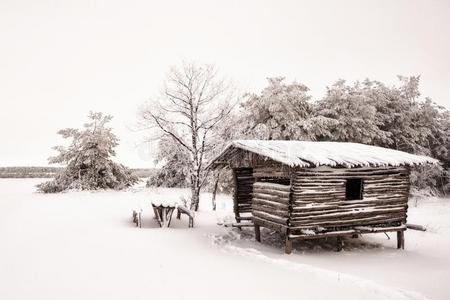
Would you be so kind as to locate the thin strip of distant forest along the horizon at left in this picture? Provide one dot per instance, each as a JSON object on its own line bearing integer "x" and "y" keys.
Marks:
{"x": 50, "y": 172}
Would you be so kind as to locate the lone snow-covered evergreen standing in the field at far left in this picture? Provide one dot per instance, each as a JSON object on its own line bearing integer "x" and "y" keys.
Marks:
{"x": 87, "y": 160}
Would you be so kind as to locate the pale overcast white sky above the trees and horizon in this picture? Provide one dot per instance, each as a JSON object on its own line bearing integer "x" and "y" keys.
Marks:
{"x": 60, "y": 59}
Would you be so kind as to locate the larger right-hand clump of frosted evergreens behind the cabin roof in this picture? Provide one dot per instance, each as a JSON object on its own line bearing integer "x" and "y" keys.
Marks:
{"x": 394, "y": 117}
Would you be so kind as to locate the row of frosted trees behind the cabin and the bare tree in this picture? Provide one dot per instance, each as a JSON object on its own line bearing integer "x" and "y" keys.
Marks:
{"x": 368, "y": 112}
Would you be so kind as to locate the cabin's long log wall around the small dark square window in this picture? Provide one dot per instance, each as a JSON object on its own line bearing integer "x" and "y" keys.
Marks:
{"x": 319, "y": 198}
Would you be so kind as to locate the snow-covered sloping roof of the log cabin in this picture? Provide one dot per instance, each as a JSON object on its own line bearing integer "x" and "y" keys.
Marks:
{"x": 314, "y": 154}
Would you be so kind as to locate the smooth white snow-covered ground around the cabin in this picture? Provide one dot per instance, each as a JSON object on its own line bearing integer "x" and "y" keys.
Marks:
{"x": 82, "y": 245}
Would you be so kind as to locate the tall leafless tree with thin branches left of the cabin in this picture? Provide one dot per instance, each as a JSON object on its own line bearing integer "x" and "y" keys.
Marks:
{"x": 194, "y": 102}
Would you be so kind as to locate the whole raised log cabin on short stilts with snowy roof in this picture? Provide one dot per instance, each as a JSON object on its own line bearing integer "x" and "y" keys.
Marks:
{"x": 308, "y": 190}
